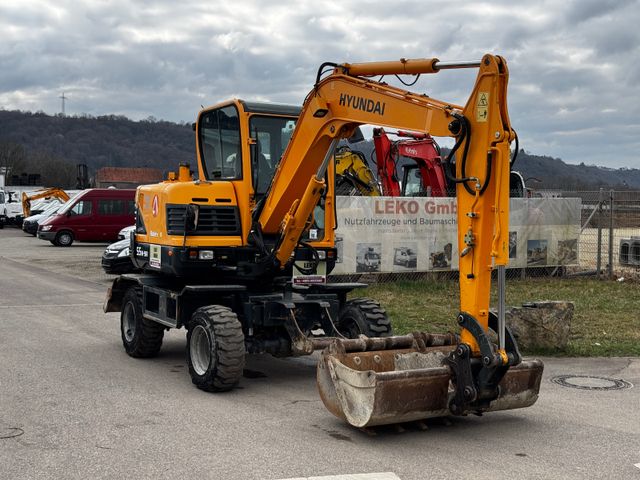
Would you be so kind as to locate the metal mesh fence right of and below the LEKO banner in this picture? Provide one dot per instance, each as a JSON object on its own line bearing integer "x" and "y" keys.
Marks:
{"x": 608, "y": 242}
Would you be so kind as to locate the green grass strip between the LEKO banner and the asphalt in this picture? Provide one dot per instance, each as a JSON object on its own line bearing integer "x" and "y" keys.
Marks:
{"x": 605, "y": 322}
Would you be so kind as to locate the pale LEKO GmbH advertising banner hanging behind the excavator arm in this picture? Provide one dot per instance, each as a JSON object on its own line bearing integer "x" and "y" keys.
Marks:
{"x": 419, "y": 234}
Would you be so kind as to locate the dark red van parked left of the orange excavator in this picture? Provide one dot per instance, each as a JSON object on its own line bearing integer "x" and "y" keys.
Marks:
{"x": 94, "y": 215}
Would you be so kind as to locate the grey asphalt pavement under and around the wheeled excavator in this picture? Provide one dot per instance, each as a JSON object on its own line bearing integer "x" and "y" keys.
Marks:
{"x": 73, "y": 405}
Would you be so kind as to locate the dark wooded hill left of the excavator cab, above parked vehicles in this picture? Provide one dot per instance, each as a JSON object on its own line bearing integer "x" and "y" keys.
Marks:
{"x": 34, "y": 142}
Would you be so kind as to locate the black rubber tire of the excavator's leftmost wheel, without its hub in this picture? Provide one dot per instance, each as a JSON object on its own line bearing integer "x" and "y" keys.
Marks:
{"x": 148, "y": 335}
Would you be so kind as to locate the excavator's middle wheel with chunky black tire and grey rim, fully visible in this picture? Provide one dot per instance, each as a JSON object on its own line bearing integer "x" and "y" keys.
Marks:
{"x": 215, "y": 348}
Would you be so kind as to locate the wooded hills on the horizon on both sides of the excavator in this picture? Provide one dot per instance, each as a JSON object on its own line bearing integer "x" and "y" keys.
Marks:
{"x": 52, "y": 146}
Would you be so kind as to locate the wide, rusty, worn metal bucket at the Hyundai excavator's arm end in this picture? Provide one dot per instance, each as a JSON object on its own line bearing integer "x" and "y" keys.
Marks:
{"x": 379, "y": 381}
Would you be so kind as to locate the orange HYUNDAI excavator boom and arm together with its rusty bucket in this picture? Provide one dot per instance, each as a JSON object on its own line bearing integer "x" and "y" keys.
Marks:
{"x": 417, "y": 370}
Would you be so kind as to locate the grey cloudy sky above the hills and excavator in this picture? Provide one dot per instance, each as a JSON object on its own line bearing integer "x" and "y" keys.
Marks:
{"x": 575, "y": 65}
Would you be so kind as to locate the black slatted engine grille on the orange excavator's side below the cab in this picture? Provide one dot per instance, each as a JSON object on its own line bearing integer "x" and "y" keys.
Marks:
{"x": 212, "y": 220}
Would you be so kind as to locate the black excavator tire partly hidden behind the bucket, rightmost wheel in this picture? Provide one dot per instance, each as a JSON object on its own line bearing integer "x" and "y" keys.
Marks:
{"x": 364, "y": 316}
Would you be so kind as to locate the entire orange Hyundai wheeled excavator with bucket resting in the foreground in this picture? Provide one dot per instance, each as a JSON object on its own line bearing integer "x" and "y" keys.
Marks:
{"x": 239, "y": 254}
